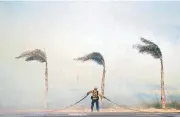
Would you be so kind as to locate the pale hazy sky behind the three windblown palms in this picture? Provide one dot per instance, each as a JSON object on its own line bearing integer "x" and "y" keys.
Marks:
{"x": 71, "y": 29}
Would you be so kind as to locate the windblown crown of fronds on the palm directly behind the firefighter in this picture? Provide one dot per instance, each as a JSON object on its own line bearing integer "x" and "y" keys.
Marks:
{"x": 95, "y": 56}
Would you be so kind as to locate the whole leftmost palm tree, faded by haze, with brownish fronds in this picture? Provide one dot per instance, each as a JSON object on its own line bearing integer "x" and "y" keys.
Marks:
{"x": 38, "y": 55}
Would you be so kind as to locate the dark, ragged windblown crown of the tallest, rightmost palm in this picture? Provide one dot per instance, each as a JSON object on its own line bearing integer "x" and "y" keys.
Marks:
{"x": 149, "y": 48}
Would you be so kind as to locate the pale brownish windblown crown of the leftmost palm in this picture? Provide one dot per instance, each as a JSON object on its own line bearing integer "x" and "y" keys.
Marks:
{"x": 36, "y": 54}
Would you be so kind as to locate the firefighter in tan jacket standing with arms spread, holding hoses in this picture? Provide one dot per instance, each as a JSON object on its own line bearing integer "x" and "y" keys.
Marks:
{"x": 95, "y": 98}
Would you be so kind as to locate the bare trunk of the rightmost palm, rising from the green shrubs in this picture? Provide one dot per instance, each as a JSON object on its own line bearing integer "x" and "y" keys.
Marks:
{"x": 163, "y": 103}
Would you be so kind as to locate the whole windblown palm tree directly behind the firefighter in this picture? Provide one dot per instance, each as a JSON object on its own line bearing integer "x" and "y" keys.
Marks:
{"x": 98, "y": 58}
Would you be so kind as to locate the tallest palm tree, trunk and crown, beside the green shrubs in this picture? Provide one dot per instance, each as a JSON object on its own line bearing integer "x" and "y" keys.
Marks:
{"x": 152, "y": 49}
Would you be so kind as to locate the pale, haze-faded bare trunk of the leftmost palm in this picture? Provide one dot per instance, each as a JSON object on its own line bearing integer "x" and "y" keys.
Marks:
{"x": 46, "y": 84}
